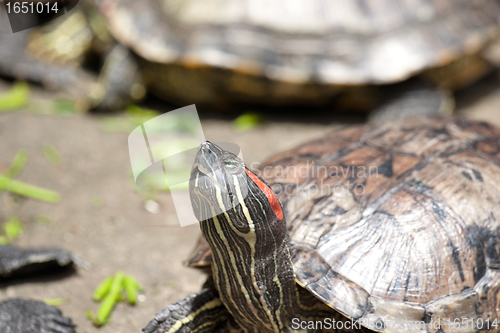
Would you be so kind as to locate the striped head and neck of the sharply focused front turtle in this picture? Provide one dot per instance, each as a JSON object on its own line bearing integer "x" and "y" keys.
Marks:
{"x": 243, "y": 223}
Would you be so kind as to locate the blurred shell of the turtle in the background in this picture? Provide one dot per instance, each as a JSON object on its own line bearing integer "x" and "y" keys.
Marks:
{"x": 301, "y": 50}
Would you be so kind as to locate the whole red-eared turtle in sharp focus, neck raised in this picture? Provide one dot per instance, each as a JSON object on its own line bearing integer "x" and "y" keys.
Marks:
{"x": 393, "y": 226}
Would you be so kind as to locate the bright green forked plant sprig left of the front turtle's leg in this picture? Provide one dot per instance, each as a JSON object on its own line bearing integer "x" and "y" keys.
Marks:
{"x": 111, "y": 291}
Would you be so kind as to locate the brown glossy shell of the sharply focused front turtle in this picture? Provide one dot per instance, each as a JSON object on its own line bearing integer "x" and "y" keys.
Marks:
{"x": 396, "y": 222}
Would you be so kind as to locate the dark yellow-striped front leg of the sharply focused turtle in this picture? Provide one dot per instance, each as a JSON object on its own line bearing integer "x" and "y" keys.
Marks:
{"x": 200, "y": 312}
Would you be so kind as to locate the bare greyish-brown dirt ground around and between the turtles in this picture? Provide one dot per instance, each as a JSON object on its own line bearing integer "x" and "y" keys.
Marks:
{"x": 102, "y": 218}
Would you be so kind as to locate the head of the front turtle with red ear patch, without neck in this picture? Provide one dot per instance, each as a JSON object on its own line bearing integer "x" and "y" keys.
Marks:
{"x": 221, "y": 184}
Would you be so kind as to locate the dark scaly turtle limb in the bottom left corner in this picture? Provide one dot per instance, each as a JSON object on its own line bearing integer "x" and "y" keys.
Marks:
{"x": 29, "y": 316}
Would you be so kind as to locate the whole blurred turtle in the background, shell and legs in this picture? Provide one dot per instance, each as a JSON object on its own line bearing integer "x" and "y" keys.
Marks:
{"x": 286, "y": 53}
